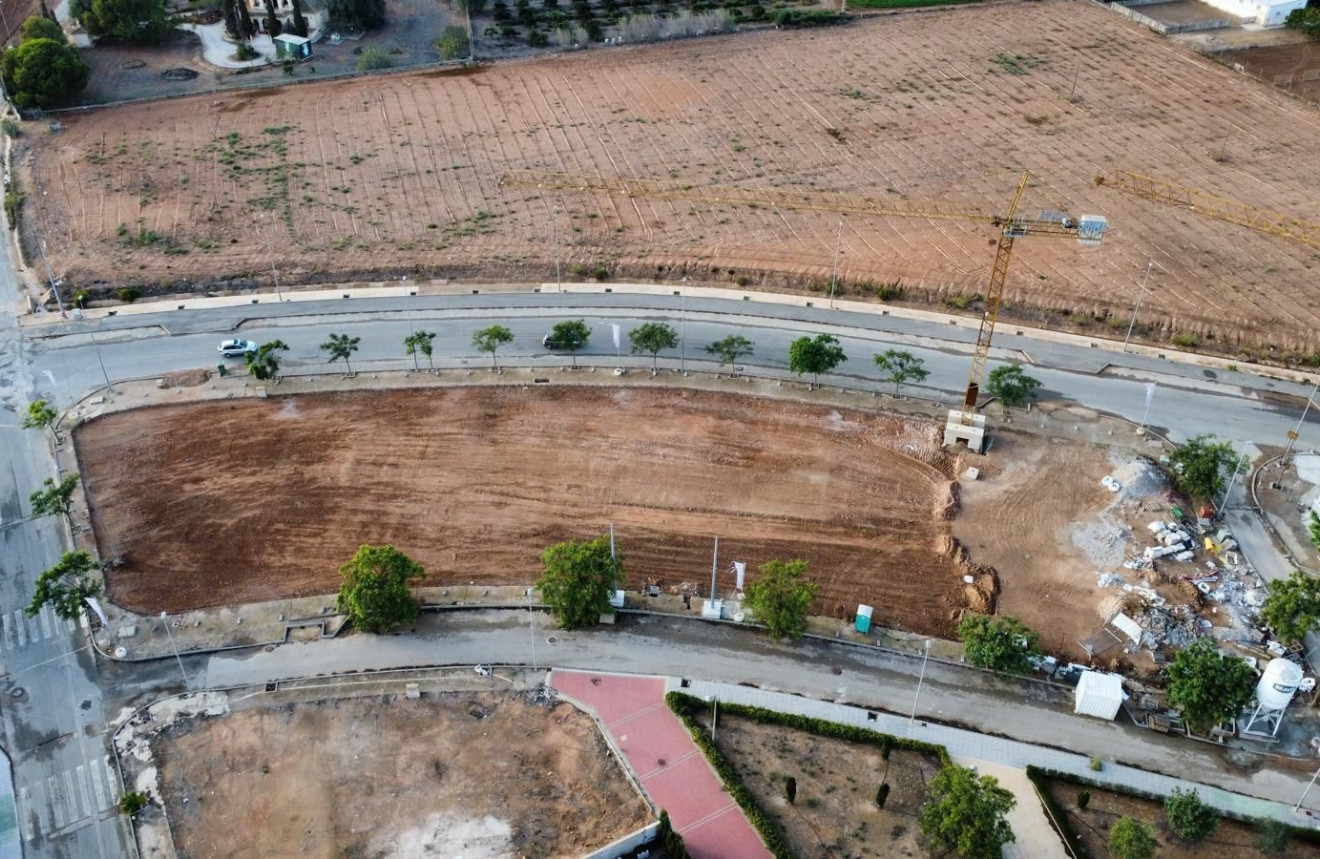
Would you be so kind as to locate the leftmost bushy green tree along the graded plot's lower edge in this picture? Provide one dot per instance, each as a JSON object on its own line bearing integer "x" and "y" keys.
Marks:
{"x": 376, "y": 589}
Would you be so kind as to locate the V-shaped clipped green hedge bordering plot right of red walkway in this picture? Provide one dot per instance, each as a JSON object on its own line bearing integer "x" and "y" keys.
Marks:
{"x": 686, "y": 707}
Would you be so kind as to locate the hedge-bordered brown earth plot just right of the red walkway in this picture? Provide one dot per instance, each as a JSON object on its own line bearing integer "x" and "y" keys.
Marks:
{"x": 835, "y": 813}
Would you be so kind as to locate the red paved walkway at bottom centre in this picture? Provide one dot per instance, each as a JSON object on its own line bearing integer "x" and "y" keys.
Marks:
{"x": 667, "y": 763}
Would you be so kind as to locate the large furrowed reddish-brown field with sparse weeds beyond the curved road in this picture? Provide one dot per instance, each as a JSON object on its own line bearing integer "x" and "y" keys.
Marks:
{"x": 402, "y": 175}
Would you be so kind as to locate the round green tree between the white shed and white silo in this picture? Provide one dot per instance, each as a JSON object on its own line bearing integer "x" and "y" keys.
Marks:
{"x": 1208, "y": 687}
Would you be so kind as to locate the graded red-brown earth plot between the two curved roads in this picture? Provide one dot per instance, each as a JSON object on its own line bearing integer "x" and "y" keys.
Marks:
{"x": 249, "y": 501}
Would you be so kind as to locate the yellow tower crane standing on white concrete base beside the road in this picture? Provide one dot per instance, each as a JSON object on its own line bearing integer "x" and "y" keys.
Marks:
{"x": 964, "y": 424}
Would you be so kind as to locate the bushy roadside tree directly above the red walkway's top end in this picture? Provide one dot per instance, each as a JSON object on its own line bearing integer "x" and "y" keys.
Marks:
{"x": 577, "y": 581}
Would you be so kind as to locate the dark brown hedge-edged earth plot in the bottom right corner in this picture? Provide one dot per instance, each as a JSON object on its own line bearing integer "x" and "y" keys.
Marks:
{"x": 1231, "y": 841}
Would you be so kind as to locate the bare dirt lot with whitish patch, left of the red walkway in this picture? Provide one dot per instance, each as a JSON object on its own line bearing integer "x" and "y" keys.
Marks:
{"x": 472, "y": 775}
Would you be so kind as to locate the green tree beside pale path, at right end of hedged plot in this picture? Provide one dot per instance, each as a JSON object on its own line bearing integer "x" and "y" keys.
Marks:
{"x": 967, "y": 813}
